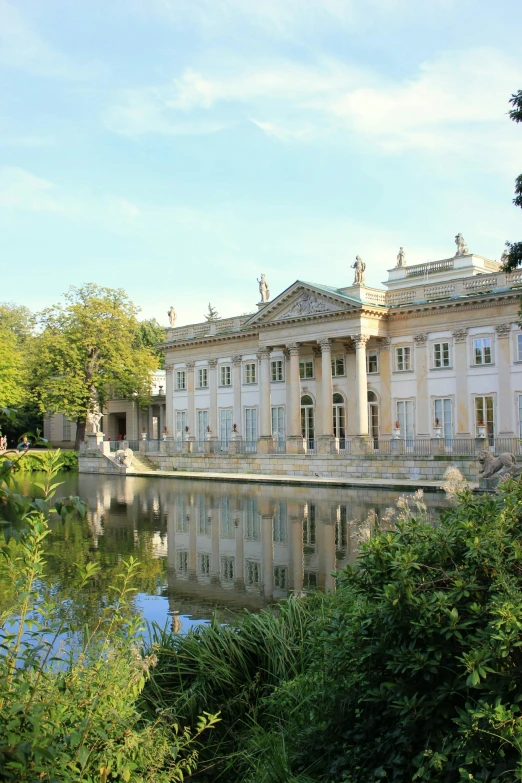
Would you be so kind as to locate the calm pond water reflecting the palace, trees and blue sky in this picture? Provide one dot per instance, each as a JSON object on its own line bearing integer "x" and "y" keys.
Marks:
{"x": 206, "y": 545}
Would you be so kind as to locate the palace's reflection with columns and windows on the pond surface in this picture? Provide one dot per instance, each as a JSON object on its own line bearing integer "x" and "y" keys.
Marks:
{"x": 237, "y": 545}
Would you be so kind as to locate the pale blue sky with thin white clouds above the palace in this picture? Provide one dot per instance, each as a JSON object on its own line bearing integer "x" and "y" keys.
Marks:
{"x": 179, "y": 148}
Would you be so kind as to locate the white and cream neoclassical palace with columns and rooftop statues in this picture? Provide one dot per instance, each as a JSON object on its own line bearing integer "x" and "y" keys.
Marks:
{"x": 436, "y": 354}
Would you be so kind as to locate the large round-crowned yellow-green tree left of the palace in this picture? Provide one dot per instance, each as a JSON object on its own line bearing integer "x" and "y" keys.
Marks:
{"x": 89, "y": 350}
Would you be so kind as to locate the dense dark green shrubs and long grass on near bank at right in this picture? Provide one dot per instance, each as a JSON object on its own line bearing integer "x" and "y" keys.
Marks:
{"x": 411, "y": 671}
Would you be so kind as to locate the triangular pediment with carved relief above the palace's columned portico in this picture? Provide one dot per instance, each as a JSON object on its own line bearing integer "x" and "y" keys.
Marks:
{"x": 303, "y": 300}
